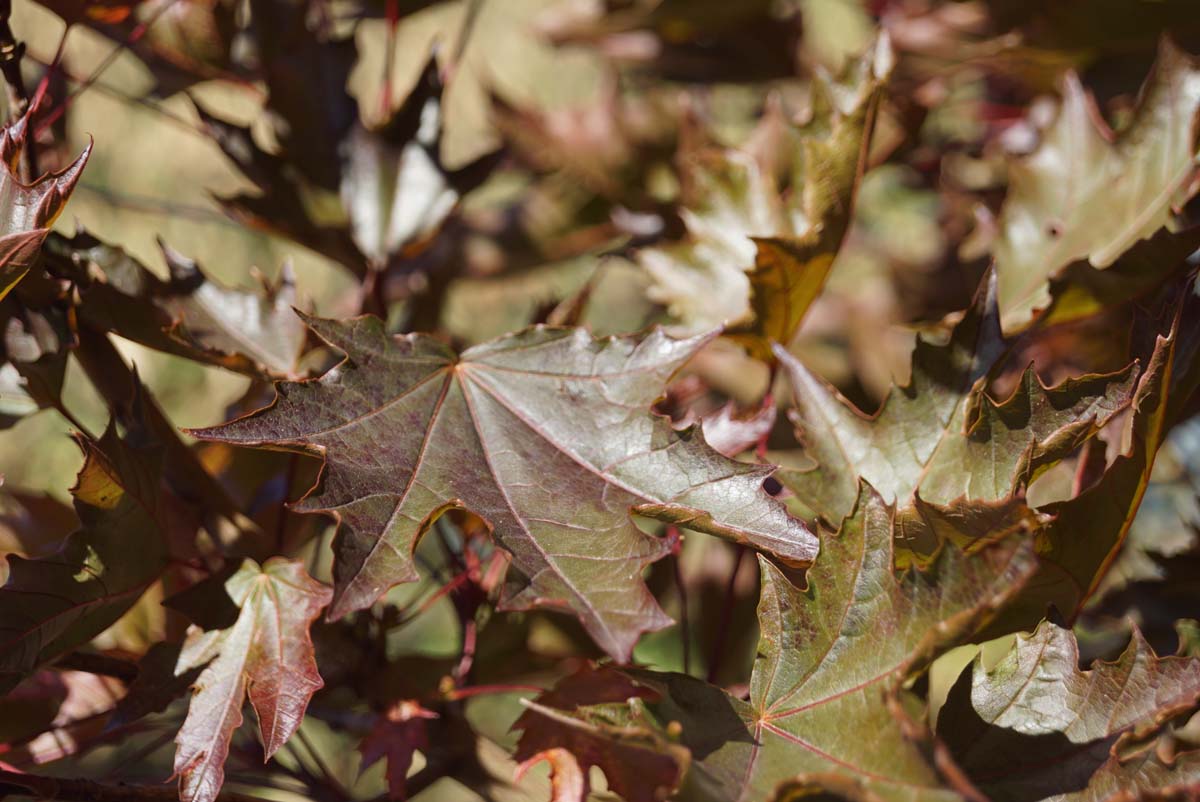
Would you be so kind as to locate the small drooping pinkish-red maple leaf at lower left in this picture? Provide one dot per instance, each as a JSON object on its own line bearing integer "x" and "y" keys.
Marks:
{"x": 266, "y": 656}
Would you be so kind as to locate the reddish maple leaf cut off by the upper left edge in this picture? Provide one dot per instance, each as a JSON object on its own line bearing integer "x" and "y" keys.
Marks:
{"x": 28, "y": 211}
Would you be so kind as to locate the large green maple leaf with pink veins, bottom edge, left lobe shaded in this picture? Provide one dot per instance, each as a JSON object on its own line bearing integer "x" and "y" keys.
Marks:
{"x": 827, "y": 656}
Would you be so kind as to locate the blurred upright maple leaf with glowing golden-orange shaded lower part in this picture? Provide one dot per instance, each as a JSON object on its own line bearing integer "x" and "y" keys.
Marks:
{"x": 740, "y": 224}
